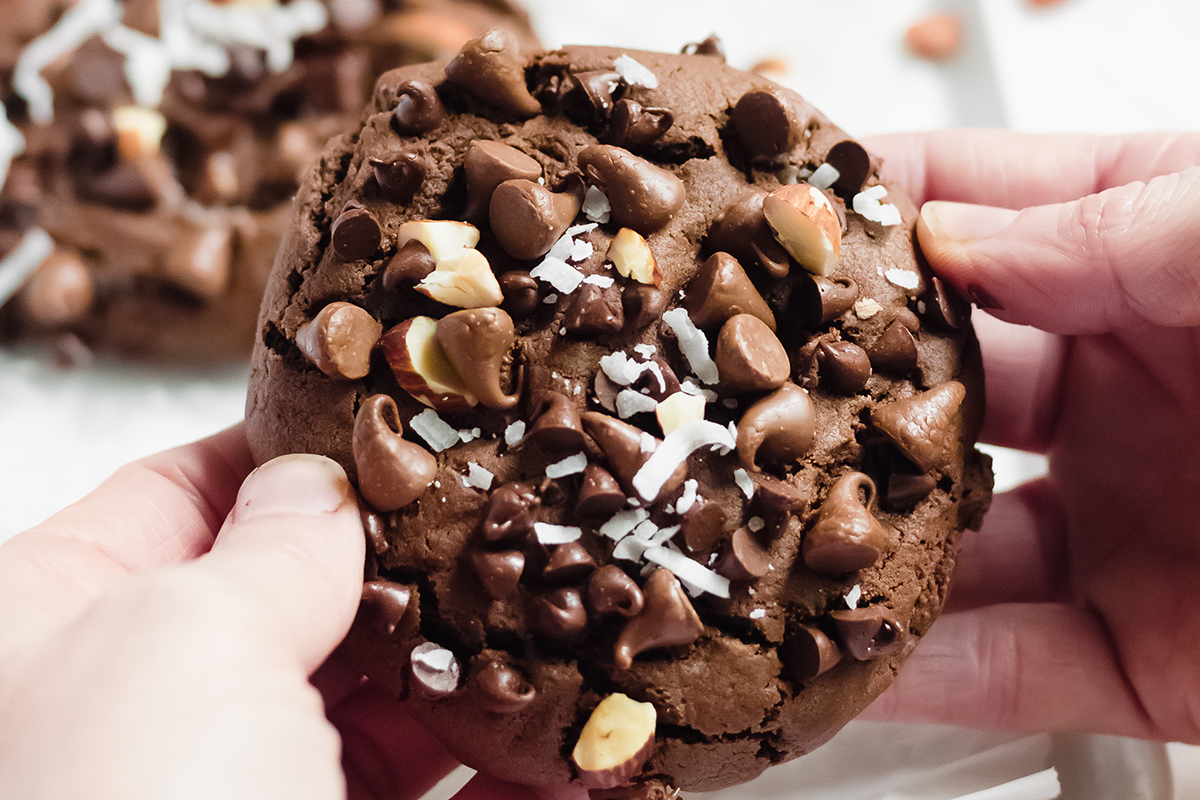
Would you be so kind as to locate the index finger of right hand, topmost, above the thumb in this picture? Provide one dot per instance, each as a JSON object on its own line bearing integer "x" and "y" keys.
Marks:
{"x": 1015, "y": 171}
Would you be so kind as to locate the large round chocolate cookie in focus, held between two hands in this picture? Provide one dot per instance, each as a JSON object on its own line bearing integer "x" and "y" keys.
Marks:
{"x": 664, "y": 434}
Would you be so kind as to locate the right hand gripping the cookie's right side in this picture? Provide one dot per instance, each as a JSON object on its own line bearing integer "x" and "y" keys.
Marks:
{"x": 1075, "y": 606}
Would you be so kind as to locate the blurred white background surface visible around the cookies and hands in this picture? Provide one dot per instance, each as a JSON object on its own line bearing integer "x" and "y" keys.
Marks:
{"x": 1069, "y": 67}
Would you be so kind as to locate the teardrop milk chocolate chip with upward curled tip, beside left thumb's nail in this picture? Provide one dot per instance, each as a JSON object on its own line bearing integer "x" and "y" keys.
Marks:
{"x": 392, "y": 471}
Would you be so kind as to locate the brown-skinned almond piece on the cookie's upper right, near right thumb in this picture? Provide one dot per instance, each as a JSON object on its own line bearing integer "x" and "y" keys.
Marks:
{"x": 807, "y": 225}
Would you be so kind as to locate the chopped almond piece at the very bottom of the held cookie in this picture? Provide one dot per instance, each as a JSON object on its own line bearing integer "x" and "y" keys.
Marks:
{"x": 616, "y": 742}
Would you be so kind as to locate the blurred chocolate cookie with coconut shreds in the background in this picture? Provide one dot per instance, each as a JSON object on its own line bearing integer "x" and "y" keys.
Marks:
{"x": 146, "y": 208}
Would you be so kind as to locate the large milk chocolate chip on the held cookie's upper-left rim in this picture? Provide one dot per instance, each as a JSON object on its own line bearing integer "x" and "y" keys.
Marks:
{"x": 491, "y": 69}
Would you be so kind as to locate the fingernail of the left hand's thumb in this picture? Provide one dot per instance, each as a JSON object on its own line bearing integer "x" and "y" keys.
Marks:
{"x": 295, "y": 484}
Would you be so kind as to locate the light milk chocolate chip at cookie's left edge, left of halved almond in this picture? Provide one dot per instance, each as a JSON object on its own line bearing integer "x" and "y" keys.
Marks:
{"x": 339, "y": 340}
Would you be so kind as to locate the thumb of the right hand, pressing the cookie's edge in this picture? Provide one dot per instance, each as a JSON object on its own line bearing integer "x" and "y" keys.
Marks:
{"x": 1115, "y": 260}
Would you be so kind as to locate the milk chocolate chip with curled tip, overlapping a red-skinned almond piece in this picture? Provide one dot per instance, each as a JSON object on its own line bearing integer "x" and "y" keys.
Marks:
{"x": 478, "y": 341}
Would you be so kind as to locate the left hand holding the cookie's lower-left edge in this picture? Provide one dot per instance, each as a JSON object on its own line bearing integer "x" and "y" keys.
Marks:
{"x": 155, "y": 645}
